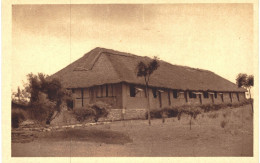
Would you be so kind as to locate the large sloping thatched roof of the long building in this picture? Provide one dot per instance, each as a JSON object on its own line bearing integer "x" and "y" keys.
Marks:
{"x": 102, "y": 66}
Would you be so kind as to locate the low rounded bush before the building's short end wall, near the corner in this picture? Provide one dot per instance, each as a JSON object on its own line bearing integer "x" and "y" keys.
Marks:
{"x": 96, "y": 110}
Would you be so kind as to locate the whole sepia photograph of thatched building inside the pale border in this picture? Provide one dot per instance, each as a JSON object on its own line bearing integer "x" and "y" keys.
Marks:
{"x": 133, "y": 80}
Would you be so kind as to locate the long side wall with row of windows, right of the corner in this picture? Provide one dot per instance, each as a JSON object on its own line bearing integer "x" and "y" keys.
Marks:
{"x": 167, "y": 98}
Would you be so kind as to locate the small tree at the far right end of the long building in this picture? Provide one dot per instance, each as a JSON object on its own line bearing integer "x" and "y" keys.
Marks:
{"x": 246, "y": 81}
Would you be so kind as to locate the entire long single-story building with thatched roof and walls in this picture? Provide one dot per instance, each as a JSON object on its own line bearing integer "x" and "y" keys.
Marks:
{"x": 110, "y": 76}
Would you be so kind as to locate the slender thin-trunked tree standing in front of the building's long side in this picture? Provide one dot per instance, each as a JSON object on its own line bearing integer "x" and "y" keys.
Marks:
{"x": 145, "y": 70}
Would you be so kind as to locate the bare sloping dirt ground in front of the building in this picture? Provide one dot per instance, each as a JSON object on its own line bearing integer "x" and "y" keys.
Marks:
{"x": 226, "y": 132}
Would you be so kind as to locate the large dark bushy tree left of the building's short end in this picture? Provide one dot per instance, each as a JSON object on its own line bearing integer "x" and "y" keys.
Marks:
{"x": 42, "y": 96}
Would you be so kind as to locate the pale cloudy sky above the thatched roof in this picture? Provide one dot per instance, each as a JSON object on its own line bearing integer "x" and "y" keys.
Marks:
{"x": 215, "y": 37}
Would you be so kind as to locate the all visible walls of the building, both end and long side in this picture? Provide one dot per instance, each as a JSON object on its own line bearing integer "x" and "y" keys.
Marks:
{"x": 135, "y": 107}
